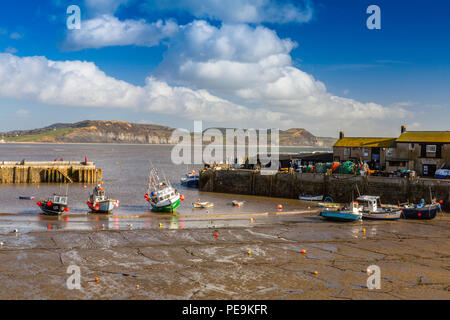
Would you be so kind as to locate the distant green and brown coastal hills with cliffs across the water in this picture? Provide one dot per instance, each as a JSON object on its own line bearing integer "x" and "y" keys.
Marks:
{"x": 125, "y": 132}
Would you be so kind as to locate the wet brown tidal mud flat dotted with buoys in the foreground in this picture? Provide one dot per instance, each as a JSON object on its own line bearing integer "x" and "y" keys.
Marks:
{"x": 259, "y": 261}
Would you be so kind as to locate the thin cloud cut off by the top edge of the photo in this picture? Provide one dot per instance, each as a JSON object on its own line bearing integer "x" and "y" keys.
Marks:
{"x": 241, "y": 11}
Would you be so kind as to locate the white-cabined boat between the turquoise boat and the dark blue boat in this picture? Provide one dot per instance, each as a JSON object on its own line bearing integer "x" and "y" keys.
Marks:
{"x": 373, "y": 209}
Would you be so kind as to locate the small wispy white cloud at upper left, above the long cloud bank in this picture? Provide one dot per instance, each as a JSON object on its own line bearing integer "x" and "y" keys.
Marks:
{"x": 107, "y": 30}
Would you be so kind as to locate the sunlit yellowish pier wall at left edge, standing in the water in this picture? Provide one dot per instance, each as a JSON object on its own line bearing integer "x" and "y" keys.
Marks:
{"x": 49, "y": 172}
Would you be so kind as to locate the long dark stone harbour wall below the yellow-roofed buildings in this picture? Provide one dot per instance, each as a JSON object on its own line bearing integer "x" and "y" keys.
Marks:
{"x": 341, "y": 187}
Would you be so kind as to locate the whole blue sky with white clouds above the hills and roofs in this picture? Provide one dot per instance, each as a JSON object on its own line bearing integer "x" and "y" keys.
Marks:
{"x": 310, "y": 64}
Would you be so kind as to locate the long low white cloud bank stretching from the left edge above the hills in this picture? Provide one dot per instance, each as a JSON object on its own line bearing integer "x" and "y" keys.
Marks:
{"x": 83, "y": 84}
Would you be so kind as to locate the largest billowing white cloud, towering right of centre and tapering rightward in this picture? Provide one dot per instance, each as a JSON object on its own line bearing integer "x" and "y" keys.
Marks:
{"x": 252, "y": 66}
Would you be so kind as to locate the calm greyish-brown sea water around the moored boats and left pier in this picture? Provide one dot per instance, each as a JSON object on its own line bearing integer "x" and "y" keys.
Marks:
{"x": 125, "y": 176}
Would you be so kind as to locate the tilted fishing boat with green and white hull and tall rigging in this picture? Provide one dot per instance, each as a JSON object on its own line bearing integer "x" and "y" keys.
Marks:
{"x": 160, "y": 194}
